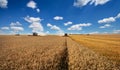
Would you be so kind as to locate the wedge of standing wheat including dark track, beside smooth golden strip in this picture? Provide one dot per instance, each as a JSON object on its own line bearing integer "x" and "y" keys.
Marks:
{"x": 77, "y": 57}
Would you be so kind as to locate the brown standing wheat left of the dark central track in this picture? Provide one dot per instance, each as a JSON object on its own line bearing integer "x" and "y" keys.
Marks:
{"x": 31, "y": 53}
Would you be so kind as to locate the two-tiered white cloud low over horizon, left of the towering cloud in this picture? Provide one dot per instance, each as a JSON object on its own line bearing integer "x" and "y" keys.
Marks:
{"x": 16, "y": 27}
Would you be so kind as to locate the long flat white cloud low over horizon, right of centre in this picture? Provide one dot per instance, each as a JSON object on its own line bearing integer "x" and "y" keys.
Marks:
{"x": 79, "y": 26}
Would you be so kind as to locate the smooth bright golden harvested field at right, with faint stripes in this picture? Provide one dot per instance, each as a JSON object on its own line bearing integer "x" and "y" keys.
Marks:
{"x": 105, "y": 45}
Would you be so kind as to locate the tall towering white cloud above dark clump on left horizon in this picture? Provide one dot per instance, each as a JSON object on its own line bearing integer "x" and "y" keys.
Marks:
{"x": 35, "y": 25}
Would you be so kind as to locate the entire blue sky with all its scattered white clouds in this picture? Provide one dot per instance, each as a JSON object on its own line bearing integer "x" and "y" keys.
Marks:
{"x": 59, "y": 17}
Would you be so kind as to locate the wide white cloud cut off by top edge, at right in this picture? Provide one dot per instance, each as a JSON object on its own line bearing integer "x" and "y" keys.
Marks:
{"x": 80, "y": 3}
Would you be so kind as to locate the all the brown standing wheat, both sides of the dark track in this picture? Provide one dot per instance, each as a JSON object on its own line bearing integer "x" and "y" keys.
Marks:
{"x": 49, "y": 53}
